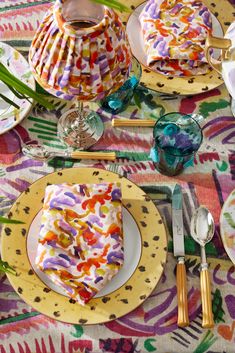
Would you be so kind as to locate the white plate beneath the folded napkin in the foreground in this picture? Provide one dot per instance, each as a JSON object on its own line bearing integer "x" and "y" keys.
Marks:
{"x": 132, "y": 253}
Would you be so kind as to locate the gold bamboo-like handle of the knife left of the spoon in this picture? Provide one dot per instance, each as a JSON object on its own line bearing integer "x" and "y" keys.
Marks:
{"x": 183, "y": 319}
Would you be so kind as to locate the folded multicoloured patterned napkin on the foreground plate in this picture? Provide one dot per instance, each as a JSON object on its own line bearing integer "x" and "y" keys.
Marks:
{"x": 81, "y": 240}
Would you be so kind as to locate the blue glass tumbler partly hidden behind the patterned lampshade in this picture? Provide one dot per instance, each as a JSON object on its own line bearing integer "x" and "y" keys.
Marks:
{"x": 119, "y": 100}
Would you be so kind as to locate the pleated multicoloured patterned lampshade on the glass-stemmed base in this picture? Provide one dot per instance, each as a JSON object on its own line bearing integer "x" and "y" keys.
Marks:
{"x": 88, "y": 63}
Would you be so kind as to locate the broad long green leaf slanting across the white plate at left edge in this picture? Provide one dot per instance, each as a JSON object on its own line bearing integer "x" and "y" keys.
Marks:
{"x": 22, "y": 88}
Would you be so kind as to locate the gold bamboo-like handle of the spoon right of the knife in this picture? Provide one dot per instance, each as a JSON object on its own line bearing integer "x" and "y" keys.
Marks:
{"x": 207, "y": 315}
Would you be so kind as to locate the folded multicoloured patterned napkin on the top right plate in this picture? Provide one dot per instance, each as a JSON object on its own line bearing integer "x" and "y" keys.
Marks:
{"x": 174, "y": 36}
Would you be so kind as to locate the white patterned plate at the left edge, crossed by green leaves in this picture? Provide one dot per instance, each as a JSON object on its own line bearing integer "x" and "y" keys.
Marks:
{"x": 19, "y": 67}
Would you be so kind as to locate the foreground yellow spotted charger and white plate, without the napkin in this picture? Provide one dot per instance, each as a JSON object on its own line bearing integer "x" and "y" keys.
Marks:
{"x": 145, "y": 244}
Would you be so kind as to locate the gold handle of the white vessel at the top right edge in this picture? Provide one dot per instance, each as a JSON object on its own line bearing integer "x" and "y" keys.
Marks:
{"x": 217, "y": 43}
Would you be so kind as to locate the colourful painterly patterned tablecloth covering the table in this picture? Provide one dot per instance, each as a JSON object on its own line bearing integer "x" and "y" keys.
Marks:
{"x": 151, "y": 327}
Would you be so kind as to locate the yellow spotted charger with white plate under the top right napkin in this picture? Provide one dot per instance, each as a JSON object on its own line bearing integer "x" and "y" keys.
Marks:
{"x": 221, "y": 16}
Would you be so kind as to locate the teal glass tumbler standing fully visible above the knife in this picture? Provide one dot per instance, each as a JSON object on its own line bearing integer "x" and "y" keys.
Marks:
{"x": 177, "y": 137}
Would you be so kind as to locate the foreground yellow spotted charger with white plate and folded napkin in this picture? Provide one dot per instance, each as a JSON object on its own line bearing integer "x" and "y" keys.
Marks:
{"x": 92, "y": 248}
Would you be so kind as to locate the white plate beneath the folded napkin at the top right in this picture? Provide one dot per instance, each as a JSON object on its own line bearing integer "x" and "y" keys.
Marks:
{"x": 136, "y": 40}
